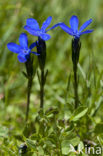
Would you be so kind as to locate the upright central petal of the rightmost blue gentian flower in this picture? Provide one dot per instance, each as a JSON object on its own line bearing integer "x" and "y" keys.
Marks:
{"x": 74, "y": 23}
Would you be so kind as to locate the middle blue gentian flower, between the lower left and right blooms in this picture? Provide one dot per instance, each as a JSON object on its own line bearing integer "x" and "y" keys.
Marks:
{"x": 33, "y": 28}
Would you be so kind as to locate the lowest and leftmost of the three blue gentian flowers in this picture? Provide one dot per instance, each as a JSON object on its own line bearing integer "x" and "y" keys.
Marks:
{"x": 22, "y": 50}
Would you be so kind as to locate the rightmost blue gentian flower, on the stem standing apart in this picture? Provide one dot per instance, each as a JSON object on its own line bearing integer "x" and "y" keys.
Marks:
{"x": 73, "y": 29}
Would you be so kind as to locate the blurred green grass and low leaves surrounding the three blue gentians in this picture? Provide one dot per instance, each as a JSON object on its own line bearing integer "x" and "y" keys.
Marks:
{"x": 52, "y": 133}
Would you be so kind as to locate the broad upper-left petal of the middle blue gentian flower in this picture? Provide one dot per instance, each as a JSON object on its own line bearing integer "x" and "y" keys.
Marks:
{"x": 32, "y": 23}
